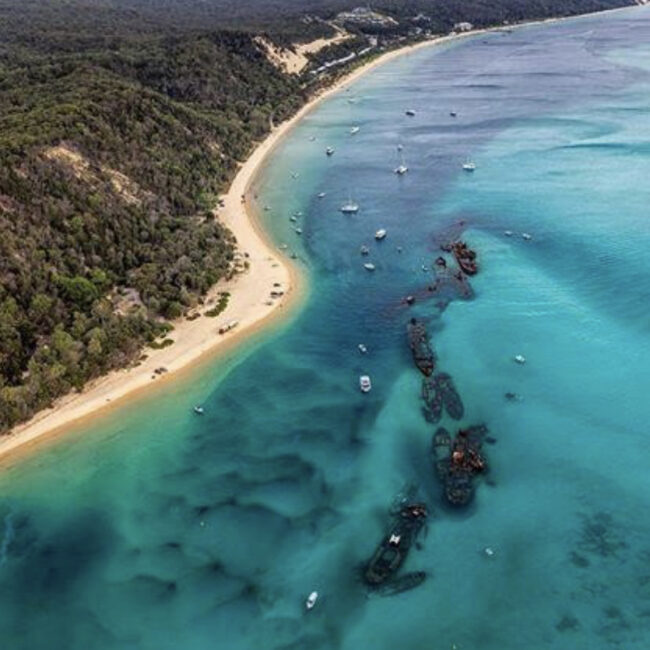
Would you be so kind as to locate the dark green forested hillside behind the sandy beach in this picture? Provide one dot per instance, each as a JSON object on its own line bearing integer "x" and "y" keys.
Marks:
{"x": 120, "y": 122}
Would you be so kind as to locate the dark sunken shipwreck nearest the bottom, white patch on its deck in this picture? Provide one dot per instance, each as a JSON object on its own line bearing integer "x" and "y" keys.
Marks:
{"x": 391, "y": 553}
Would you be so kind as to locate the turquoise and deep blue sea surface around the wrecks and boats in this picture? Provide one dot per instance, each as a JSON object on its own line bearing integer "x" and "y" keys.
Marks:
{"x": 157, "y": 529}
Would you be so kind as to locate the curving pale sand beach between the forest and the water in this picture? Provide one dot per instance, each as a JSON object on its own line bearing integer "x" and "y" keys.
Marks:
{"x": 199, "y": 339}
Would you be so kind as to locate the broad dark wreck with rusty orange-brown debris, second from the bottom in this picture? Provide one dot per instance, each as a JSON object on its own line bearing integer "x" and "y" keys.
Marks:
{"x": 459, "y": 461}
